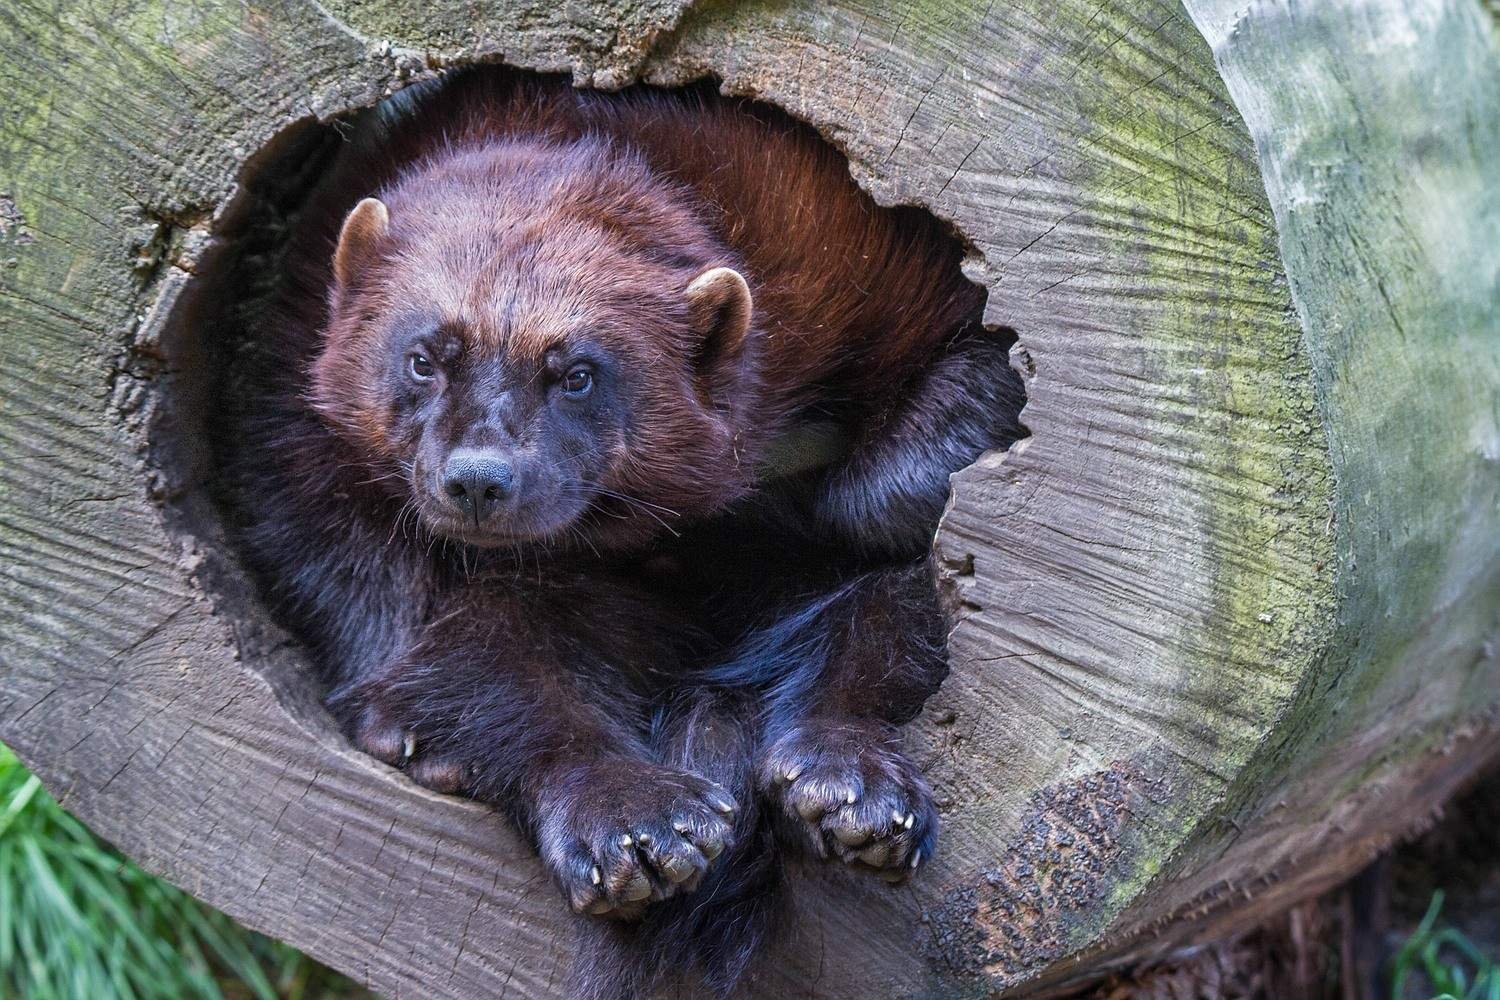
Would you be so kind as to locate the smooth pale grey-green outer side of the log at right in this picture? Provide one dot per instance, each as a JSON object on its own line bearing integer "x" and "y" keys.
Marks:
{"x": 1379, "y": 134}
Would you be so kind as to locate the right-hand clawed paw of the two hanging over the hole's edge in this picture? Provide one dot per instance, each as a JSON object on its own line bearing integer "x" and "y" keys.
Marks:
{"x": 851, "y": 791}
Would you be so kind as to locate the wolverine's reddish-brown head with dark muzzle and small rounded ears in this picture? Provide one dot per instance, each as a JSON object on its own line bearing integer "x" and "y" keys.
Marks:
{"x": 542, "y": 343}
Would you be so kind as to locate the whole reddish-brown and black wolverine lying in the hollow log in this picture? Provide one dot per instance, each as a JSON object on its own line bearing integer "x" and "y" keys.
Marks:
{"x": 595, "y": 446}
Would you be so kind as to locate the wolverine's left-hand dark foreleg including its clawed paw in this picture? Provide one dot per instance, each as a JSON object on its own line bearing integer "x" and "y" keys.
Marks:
{"x": 524, "y": 698}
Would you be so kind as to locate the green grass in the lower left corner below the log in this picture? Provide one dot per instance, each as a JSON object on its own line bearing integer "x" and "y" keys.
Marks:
{"x": 77, "y": 920}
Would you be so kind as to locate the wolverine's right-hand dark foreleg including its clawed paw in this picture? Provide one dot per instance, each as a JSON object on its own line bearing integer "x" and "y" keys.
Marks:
{"x": 842, "y": 672}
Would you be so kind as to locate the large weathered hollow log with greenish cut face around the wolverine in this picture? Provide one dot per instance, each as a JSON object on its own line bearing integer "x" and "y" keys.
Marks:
{"x": 1229, "y": 618}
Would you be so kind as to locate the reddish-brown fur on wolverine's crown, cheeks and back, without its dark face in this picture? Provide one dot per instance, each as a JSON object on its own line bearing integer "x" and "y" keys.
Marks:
{"x": 523, "y": 212}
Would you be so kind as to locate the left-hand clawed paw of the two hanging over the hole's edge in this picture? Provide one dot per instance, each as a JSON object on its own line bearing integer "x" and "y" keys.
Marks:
{"x": 620, "y": 834}
